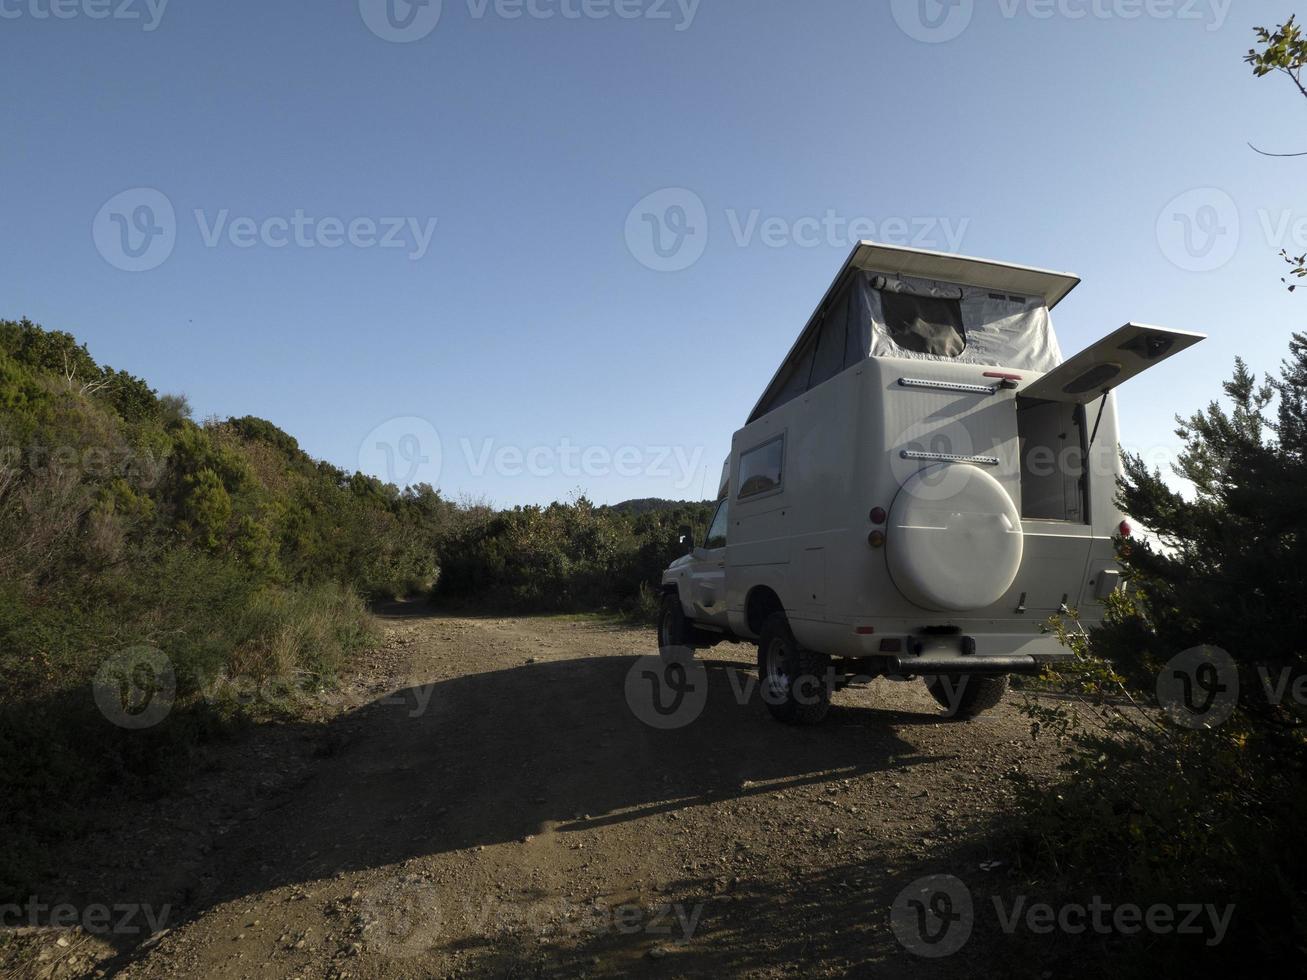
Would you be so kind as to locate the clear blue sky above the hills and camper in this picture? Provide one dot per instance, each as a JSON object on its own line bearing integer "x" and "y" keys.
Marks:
{"x": 465, "y": 263}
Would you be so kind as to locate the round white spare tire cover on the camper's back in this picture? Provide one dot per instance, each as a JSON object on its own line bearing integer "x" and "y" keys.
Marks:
{"x": 955, "y": 539}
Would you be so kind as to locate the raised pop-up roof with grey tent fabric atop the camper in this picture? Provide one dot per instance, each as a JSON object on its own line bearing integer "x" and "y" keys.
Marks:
{"x": 912, "y": 304}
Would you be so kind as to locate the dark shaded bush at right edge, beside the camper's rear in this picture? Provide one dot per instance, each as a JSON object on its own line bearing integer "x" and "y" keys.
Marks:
{"x": 1156, "y": 812}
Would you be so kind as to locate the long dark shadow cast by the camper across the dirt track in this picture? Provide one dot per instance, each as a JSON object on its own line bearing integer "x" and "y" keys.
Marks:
{"x": 552, "y": 748}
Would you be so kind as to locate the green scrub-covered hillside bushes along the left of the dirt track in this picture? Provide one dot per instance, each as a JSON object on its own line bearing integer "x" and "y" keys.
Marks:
{"x": 239, "y": 557}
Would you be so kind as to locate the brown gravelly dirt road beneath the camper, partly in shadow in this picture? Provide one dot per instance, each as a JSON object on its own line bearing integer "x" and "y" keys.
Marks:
{"x": 491, "y": 806}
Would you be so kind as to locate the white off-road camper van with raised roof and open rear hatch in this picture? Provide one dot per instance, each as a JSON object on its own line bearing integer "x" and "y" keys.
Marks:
{"x": 922, "y": 485}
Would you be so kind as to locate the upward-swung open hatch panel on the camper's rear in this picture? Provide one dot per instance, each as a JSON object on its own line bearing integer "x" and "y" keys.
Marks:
{"x": 1116, "y": 359}
